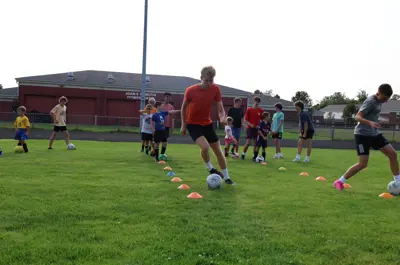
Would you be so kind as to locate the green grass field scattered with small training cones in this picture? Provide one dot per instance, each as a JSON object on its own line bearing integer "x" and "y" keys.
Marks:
{"x": 106, "y": 203}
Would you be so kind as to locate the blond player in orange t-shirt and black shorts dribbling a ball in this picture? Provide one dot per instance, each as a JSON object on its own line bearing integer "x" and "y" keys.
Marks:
{"x": 195, "y": 116}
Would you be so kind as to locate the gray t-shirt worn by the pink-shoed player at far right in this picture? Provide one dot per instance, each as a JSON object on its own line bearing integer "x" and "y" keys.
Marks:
{"x": 371, "y": 108}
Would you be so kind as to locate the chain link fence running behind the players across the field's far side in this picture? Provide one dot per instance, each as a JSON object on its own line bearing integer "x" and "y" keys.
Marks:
{"x": 323, "y": 131}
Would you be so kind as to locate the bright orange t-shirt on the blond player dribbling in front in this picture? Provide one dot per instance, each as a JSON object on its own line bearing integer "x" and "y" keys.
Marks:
{"x": 200, "y": 103}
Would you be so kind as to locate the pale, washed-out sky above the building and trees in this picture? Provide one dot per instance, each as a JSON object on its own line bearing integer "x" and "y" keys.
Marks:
{"x": 319, "y": 46}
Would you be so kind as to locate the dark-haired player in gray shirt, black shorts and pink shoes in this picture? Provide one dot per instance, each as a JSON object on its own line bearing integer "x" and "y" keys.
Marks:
{"x": 367, "y": 135}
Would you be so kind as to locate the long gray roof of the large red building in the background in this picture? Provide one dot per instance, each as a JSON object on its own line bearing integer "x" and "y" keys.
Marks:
{"x": 131, "y": 81}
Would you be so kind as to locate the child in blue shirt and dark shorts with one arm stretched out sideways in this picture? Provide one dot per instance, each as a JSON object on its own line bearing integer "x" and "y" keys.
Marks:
{"x": 158, "y": 126}
